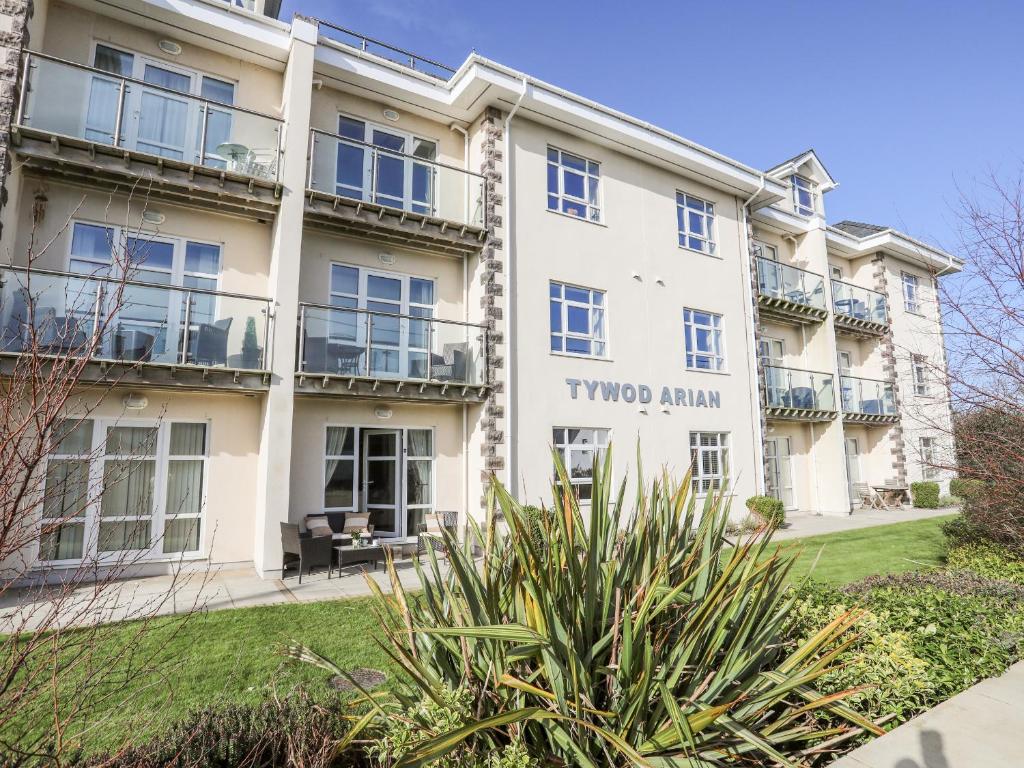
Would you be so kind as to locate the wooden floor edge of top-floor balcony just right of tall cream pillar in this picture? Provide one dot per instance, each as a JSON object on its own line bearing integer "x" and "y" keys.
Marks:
{"x": 393, "y": 226}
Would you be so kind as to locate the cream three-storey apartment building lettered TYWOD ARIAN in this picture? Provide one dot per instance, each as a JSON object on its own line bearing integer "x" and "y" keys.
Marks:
{"x": 361, "y": 281}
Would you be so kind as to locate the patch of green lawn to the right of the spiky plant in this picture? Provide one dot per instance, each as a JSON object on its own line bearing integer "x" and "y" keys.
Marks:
{"x": 884, "y": 549}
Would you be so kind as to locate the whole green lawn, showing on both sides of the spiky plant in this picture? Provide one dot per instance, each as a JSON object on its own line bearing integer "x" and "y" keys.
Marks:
{"x": 232, "y": 656}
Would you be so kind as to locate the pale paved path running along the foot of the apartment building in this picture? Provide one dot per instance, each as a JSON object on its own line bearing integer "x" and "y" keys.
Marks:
{"x": 237, "y": 588}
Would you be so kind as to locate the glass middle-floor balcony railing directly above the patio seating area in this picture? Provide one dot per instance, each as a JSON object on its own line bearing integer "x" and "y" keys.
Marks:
{"x": 337, "y": 342}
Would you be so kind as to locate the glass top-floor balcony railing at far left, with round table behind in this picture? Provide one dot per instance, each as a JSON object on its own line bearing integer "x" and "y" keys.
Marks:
{"x": 69, "y": 100}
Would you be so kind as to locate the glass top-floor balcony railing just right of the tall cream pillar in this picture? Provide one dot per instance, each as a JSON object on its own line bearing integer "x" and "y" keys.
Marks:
{"x": 358, "y": 170}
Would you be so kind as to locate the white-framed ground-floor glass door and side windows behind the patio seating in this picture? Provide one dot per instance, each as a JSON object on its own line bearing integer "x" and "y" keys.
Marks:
{"x": 388, "y": 474}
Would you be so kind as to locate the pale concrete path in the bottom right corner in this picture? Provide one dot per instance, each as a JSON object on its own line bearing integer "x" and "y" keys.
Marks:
{"x": 984, "y": 728}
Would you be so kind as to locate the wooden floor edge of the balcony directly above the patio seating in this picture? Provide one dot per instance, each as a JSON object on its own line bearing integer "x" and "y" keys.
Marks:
{"x": 359, "y": 388}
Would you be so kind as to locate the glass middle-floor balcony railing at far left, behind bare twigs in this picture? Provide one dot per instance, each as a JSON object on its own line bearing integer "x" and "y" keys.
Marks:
{"x": 62, "y": 314}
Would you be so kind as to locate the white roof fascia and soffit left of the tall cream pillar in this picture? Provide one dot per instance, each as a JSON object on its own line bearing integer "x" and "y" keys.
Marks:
{"x": 209, "y": 24}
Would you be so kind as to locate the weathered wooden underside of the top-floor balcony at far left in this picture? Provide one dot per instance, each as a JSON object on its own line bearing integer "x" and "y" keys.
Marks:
{"x": 119, "y": 170}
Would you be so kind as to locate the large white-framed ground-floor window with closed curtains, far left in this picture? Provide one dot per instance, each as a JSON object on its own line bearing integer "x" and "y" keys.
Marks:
{"x": 121, "y": 487}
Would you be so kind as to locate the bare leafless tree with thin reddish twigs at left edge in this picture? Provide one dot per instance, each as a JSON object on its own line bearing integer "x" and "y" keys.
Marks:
{"x": 61, "y": 660}
